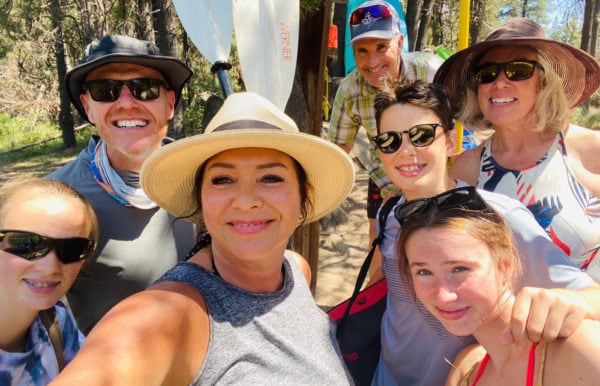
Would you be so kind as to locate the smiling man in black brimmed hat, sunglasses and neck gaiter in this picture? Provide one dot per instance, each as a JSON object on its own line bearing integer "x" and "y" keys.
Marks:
{"x": 128, "y": 91}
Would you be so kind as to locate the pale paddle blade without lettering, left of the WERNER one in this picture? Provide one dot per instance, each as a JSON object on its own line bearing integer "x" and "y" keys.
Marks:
{"x": 209, "y": 24}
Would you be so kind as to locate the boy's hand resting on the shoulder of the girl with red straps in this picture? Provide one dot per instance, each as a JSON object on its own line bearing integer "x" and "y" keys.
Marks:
{"x": 546, "y": 314}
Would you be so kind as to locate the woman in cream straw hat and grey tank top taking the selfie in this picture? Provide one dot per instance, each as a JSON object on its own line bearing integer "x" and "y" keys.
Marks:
{"x": 239, "y": 310}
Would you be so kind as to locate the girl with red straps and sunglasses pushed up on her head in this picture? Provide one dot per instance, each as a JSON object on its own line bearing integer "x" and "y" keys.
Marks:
{"x": 460, "y": 261}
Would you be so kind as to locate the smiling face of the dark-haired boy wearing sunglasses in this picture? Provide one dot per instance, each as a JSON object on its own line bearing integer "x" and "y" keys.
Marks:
{"x": 417, "y": 171}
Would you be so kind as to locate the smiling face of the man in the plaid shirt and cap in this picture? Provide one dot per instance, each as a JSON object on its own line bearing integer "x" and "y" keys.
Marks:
{"x": 378, "y": 58}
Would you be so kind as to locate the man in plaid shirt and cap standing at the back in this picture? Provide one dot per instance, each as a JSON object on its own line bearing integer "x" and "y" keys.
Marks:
{"x": 377, "y": 46}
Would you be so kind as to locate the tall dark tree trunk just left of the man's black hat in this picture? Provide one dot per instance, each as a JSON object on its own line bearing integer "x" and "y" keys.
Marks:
{"x": 65, "y": 118}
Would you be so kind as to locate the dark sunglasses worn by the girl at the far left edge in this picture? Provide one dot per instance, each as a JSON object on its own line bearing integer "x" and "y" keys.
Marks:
{"x": 32, "y": 246}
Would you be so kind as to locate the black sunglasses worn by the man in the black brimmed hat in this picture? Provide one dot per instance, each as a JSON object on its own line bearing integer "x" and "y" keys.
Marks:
{"x": 109, "y": 90}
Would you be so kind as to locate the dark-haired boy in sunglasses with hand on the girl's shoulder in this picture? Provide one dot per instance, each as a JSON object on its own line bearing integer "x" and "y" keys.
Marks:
{"x": 415, "y": 138}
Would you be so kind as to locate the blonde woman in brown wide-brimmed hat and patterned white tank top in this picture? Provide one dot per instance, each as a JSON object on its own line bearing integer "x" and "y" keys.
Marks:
{"x": 523, "y": 85}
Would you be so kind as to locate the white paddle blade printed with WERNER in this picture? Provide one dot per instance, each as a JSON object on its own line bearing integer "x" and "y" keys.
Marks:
{"x": 266, "y": 32}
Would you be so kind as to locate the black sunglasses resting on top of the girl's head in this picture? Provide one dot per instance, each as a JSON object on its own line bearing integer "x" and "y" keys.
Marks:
{"x": 465, "y": 197}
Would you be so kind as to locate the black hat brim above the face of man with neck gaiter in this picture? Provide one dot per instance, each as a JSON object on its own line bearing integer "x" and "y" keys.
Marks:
{"x": 176, "y": 73}
